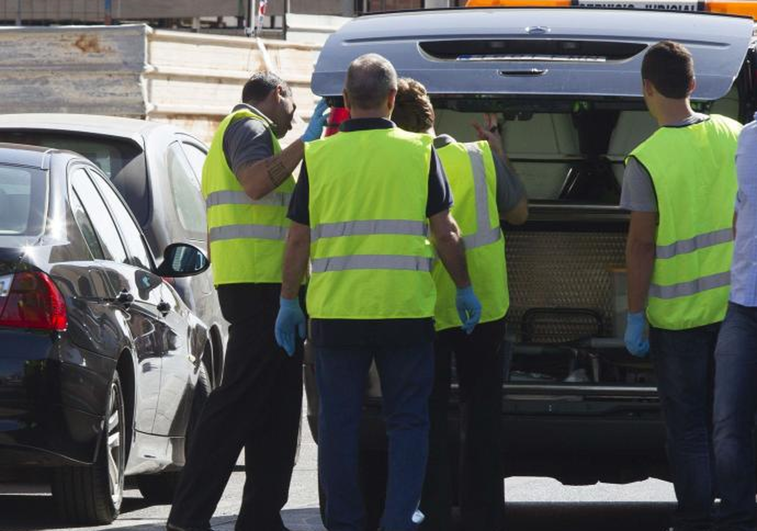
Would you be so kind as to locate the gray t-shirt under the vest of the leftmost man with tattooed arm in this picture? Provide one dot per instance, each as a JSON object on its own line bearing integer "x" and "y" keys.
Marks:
{"x": 246, "y": 141}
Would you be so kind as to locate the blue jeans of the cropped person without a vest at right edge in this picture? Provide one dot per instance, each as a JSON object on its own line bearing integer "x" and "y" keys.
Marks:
{"x": 735, "y": 408}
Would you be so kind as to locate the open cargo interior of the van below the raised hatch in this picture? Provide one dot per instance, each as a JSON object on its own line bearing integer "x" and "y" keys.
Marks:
{"x": 566, "y": 265}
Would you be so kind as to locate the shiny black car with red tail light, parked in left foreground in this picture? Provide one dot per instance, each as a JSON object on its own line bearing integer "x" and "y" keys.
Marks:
{"x": 102, "y": 367}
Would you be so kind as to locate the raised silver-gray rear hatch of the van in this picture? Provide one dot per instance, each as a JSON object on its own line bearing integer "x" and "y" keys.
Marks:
{"x": 536, "y": 52}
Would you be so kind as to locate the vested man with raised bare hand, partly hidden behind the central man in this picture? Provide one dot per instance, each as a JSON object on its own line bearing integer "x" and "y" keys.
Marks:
{"x": 486, "y": 190}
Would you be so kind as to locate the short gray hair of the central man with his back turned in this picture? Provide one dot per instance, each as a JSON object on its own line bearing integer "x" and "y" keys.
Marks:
{"x": 370, "y": 78}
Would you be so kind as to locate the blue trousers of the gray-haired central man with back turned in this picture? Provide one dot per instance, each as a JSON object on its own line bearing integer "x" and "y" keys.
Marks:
{"x": 406, "y": 379}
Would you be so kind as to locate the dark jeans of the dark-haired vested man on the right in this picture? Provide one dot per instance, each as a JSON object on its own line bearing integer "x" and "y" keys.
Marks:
{"x": 684, "y": 361}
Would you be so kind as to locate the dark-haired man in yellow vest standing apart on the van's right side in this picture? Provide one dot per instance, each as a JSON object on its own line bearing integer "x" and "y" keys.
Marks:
{"x": 680, "y": 186}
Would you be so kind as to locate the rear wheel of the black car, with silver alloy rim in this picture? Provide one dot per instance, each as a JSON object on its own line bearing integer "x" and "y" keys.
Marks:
{"x": 93, "y": 494}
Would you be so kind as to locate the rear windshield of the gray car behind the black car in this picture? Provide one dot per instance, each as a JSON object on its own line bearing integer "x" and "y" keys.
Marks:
{"x": 121, "y": 160}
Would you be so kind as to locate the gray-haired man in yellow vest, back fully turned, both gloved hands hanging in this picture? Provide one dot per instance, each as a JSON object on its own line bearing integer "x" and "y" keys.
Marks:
{"x": 363, "y": 206}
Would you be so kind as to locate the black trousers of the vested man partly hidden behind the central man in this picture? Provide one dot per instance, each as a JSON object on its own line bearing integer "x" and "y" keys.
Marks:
{"x": 479, "y": 366}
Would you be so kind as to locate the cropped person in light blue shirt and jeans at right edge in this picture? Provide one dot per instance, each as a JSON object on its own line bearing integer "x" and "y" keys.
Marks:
{"x": 736, "y": 357}
